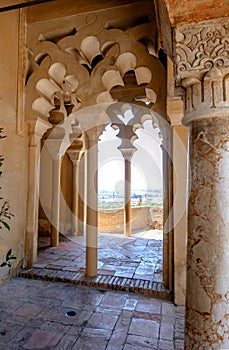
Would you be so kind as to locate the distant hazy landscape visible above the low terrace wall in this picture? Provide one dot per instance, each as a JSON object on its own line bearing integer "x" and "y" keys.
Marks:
{"x": 108, "y": 199}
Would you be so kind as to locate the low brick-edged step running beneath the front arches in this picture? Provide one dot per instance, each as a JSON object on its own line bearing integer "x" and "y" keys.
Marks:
{"x": 155, "y": 289}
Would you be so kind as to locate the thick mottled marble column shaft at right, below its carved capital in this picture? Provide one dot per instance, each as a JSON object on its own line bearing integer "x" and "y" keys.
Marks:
{"x": 207, "y": 310}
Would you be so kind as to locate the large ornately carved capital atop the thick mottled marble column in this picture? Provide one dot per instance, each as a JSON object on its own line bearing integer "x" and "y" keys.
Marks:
{"x": 202, "y": 68}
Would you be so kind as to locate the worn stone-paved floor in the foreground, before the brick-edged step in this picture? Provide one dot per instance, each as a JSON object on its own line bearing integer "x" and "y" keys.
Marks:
{"x": 46, "y": 315}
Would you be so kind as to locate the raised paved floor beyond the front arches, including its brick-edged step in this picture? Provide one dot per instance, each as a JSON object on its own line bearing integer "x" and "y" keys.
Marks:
{"x": 132, "y": 264}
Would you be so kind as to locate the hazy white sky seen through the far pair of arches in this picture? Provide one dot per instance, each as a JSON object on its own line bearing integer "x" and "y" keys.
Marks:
{"x": 146, "y": 161}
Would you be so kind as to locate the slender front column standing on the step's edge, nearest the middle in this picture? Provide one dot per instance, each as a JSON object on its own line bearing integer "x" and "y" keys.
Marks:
{"x": 92, "y": 205}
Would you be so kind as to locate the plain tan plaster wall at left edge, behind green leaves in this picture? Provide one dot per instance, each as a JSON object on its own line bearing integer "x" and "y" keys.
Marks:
{"x": 14, "y": 147}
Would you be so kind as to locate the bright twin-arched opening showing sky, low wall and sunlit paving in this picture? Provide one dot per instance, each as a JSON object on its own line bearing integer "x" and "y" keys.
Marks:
{"x": 119, "y": 255}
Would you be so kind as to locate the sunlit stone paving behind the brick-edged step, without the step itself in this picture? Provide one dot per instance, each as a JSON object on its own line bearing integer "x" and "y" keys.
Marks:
{"x": 139, "y": 256}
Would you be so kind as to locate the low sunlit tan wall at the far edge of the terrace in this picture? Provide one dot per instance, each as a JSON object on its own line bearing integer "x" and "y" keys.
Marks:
{"x": 111, "y": 220}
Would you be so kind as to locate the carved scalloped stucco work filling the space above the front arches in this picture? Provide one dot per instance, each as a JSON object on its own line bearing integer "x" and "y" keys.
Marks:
{"x": 80, "y": 70}
